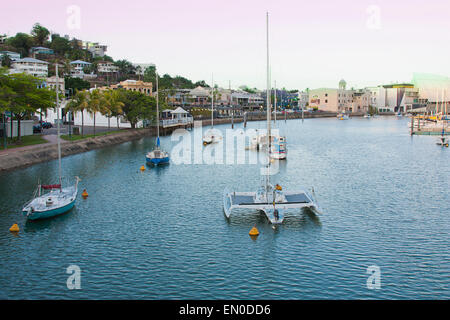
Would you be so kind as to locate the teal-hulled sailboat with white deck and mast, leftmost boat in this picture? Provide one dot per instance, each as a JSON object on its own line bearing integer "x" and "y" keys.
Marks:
{"x": 57, "y": 200}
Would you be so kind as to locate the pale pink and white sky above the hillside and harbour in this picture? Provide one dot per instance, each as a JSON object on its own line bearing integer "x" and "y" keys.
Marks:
{"x": 313, "y": 44}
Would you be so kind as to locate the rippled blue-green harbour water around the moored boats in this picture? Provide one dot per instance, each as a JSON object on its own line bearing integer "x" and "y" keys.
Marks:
{"x": 162, "y": 234}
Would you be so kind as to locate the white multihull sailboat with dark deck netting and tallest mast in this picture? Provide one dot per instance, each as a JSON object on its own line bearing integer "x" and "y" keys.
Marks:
{"x": 271, "y": 200}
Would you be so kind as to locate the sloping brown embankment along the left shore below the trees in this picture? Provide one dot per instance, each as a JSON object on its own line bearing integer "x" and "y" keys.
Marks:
{"x": 18, "y": 158}
